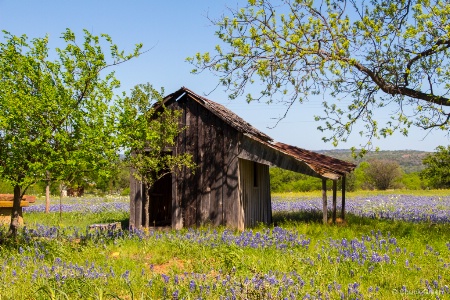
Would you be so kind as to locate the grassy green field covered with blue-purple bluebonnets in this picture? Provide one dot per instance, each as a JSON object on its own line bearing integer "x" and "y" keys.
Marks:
{"x": 390, "y": 247}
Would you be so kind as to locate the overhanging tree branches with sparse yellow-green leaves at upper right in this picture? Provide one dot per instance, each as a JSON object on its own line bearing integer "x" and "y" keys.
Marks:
{"x": 371, "y": 53}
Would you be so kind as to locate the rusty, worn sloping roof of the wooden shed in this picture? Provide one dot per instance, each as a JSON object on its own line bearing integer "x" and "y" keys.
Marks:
{"x": 323, "y": 165}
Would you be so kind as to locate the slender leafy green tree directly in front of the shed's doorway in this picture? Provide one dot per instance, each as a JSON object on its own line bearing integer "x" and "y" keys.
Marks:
{"x": 148, "y": 129}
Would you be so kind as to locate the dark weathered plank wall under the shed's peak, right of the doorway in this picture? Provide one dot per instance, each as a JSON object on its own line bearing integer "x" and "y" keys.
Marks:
{"x": 211, "y": 194}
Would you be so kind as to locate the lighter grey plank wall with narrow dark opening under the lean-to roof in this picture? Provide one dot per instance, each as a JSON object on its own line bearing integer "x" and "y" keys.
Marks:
{"x": 255, "y": 192}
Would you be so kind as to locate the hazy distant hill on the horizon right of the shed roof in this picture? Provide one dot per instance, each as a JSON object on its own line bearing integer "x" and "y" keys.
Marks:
{"x": 409, "y": 160}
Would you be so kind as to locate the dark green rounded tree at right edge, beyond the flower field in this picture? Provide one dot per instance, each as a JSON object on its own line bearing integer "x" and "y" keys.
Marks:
{"x": 437, "y": 170}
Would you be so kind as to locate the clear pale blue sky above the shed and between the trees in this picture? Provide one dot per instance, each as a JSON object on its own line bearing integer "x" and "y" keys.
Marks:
{"x": 174, "y": 30}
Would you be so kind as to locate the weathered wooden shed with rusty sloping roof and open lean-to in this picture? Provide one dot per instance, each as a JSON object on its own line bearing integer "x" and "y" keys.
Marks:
{"x": 231, "y": 184}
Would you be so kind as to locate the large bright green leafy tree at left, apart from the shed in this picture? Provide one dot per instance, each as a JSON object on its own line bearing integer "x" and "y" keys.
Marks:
{"x": 56, "y": 118}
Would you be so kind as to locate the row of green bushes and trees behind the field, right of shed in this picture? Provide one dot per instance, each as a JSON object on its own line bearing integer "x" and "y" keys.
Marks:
{"x": 375, "y": 174}
